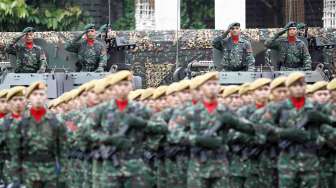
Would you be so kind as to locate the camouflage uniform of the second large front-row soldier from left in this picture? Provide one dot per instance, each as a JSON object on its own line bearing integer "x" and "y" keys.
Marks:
{"x": 119, "y": 136}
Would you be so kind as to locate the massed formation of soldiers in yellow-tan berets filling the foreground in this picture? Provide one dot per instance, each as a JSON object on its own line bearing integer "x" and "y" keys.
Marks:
{"x": 194, "y": 133}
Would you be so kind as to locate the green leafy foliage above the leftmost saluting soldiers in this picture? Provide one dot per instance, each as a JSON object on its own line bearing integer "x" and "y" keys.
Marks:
{"x": 47, "y": 15}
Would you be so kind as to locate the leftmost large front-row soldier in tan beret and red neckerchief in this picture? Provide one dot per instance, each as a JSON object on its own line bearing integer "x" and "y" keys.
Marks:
{"x": 40, "y": 139}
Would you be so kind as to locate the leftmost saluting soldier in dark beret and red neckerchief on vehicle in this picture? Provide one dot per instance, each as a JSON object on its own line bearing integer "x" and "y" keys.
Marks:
{"x": 30, "y": 58}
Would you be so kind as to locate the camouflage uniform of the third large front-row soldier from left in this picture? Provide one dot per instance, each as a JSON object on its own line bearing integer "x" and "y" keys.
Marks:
{"x": 208, "y": 164}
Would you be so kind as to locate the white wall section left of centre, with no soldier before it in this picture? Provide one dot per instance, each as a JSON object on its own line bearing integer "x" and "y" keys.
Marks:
{"x": 167, "y": 14}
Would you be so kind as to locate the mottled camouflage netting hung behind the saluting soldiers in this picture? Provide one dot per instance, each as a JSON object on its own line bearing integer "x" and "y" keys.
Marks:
{"x": 155, "y": 56}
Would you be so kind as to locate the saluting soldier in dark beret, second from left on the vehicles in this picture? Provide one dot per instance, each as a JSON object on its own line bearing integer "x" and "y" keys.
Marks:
{"x": 91, "y": 52}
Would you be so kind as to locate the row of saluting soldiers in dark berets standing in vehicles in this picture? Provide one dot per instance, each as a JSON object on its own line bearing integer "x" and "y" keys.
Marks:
{"x": 231, "y": 52}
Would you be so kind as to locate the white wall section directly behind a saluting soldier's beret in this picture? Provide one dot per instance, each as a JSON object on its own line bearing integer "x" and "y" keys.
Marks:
{"x": 229, "y": 11}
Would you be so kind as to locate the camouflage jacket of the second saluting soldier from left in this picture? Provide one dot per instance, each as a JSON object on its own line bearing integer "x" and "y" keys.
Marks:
{"x": 90, "y": 58}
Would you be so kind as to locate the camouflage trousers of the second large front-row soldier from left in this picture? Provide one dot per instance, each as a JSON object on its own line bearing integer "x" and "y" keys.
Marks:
{"x": 132, "y": 173}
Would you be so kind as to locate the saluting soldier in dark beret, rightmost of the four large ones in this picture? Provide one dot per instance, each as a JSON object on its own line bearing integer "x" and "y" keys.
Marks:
{"x": 293, "y": 52}
